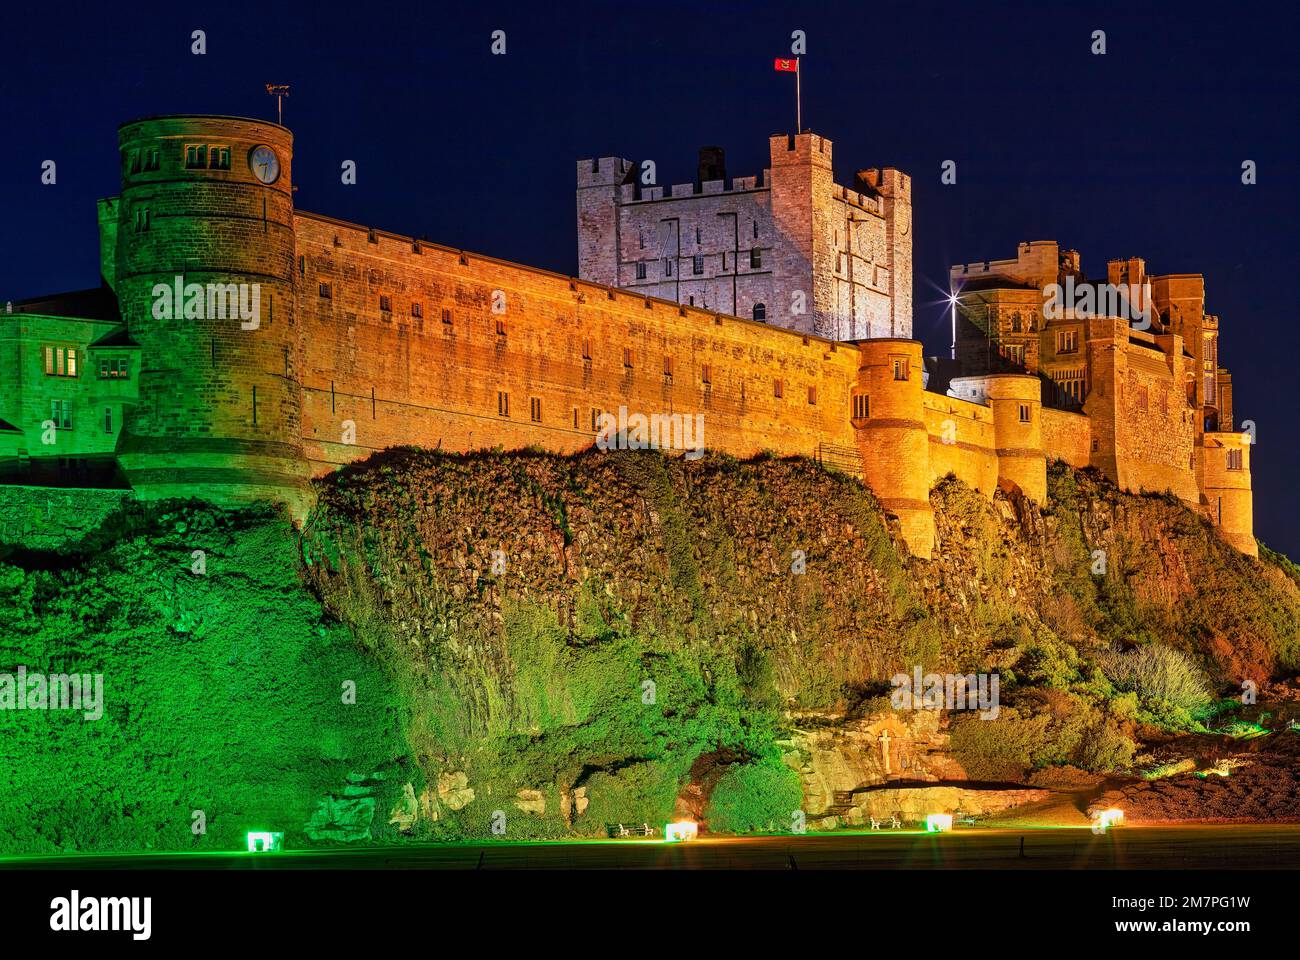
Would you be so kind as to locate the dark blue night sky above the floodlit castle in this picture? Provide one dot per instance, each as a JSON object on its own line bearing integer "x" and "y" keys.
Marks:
{"x": 1137, "y": 153}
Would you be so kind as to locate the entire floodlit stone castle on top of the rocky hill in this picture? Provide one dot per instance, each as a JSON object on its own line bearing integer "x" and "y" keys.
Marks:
{"x": 363, "y": 340}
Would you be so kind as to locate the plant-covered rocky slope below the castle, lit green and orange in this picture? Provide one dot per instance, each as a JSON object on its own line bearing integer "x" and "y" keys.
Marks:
{"x": 545, "y": 646}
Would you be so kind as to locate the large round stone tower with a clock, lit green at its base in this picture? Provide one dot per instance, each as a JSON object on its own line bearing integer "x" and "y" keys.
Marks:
{"x": 206, "y": 284}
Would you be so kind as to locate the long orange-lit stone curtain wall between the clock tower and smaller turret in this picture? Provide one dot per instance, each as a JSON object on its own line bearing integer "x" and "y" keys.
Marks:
{"x": 405, "y": 379}
